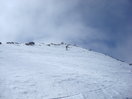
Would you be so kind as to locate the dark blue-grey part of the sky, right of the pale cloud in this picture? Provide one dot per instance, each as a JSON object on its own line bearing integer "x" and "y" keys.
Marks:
{"x": 114, "y": 19}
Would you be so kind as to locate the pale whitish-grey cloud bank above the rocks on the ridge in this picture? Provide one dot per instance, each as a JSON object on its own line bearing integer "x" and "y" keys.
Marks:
{"x": 42, "y": 19}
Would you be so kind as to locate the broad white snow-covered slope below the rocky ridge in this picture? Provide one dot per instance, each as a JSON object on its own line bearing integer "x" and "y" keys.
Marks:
{"x": 51, "y": 72}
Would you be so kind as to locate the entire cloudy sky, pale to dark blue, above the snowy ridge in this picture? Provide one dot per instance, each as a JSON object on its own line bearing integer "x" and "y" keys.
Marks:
{"x": 102, "y": 25}
